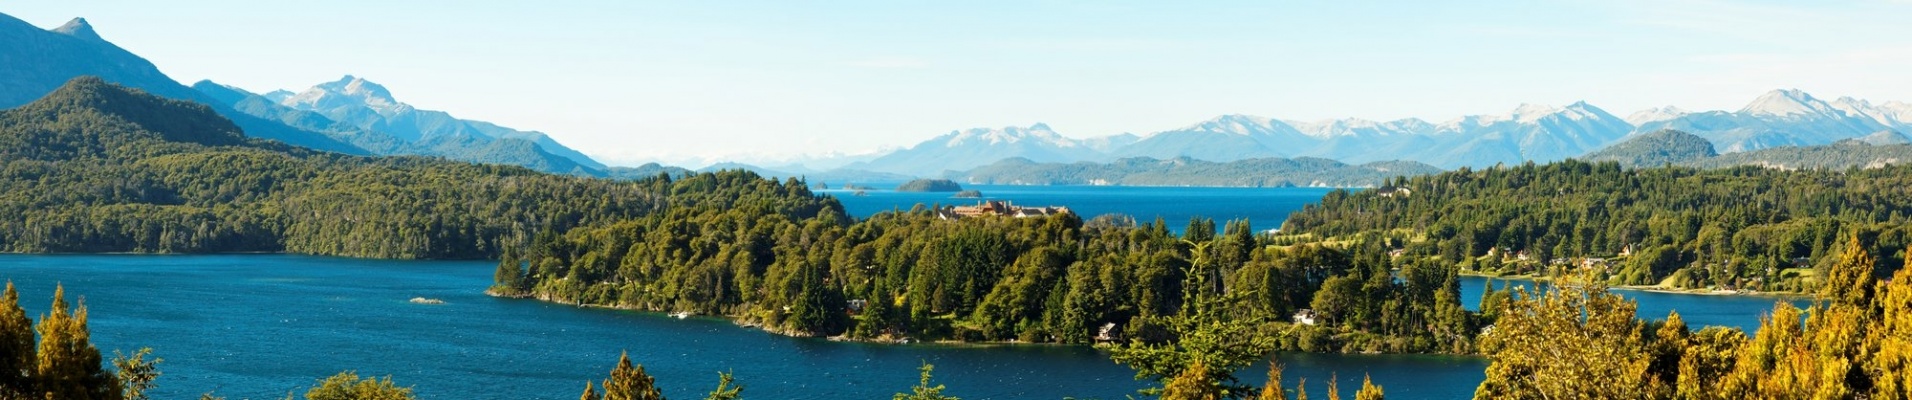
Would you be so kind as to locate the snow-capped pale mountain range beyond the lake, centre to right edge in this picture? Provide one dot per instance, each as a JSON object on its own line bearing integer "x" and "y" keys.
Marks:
{"x": 1529, "y": 133}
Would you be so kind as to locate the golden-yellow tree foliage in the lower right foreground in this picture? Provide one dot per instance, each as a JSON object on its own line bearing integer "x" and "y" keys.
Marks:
{"x": 1580, "y": 342}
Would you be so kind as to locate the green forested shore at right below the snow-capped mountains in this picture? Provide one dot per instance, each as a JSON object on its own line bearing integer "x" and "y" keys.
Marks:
{"x": 1733, "y": 229}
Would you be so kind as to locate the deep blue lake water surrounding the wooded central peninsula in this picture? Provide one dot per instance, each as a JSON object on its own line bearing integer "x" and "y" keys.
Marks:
{"x": 259, "y": 326}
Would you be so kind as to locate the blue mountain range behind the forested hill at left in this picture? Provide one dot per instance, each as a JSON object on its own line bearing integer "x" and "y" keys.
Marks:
{"x": 351, "y": 116}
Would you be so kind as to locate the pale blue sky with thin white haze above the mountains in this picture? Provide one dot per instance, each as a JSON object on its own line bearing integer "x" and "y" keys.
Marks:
{"x": 689, "y": 83}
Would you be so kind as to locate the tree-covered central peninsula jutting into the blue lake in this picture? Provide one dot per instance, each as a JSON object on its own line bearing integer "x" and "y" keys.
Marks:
{"x": 997, "y": 278}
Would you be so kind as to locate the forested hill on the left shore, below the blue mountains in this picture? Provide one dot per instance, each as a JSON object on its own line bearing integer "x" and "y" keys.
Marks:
{"x": 97, "y": 169}
